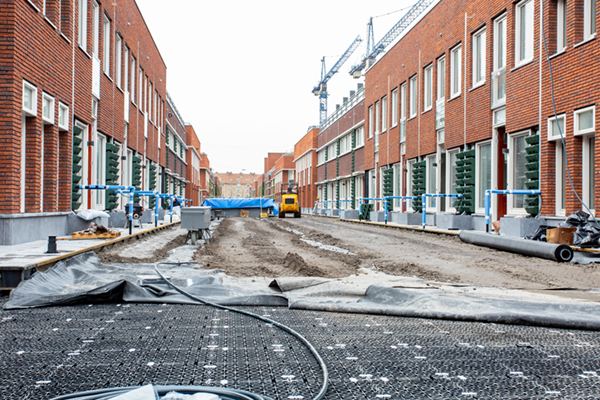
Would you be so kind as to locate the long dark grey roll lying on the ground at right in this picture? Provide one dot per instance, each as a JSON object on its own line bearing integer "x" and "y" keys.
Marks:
{"x": 532, "y": 248}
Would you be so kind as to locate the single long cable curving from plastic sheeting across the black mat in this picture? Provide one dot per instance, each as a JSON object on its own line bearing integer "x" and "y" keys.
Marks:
{"x": 287, "y": 329}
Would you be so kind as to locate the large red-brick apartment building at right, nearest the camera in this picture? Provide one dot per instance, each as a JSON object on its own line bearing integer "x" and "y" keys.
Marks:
{"x": 463, "y": 103}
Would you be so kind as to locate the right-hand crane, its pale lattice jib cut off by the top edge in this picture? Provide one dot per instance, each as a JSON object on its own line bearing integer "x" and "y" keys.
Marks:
{"x": 373, "y": 51}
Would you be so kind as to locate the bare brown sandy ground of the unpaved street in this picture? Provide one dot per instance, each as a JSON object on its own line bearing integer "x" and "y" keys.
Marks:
{"x": 329, "y": 248}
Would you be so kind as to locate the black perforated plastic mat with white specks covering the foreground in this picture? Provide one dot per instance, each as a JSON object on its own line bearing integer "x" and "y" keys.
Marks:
{"x": 47, "y": 352}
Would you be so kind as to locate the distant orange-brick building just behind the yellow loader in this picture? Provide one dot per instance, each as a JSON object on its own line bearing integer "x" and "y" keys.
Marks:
{"x": 305, "y": 159}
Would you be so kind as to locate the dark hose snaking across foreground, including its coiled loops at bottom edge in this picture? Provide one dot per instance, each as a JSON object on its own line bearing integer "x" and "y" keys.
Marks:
{"x": 234, "y": 394}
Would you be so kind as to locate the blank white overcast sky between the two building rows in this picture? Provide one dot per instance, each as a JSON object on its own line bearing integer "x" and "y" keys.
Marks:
{"x": 242, "y": 71}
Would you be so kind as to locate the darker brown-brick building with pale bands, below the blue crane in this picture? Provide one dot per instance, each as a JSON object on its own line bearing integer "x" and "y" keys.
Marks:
{"x": 340, "y": 154}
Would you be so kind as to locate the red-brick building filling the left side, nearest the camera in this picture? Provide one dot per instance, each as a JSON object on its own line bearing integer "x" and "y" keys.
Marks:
{"x": 84, "y": 102}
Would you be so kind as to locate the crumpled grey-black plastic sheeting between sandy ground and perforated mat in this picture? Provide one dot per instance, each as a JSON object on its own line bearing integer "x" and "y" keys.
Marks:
{"x": 82, "y": 279}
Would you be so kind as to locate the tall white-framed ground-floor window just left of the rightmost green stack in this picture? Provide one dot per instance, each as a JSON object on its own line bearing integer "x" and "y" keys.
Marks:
{"x": 517, "y": 170}
